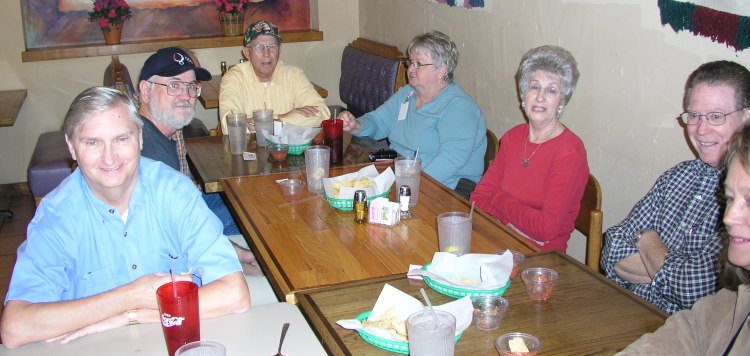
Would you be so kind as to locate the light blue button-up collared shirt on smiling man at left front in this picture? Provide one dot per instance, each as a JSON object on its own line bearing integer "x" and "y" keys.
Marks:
{"x": 78, "y": 246}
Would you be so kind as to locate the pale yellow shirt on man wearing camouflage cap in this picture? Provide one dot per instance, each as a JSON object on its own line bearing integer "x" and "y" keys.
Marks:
{"x": 242, "y": 92}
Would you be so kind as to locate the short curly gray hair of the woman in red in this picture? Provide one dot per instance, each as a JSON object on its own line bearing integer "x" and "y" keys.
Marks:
{"x": 551, "y": 59}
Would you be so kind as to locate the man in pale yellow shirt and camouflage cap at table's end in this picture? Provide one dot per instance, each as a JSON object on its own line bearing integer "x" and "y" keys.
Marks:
{"x": 266, "y": 82}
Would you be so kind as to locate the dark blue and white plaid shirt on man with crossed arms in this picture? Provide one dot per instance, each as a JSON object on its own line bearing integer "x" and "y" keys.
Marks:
{"x": 684, "y": 207}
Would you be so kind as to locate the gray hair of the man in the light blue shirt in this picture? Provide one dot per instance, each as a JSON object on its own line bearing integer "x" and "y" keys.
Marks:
{"x": 95, "y": 100}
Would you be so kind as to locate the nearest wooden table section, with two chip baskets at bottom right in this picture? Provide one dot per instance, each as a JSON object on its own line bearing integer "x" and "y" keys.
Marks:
{"x": 586, "y": 315}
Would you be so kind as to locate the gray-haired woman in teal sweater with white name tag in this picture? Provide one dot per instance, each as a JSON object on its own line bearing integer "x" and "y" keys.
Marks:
{"x": 432, "y": 114}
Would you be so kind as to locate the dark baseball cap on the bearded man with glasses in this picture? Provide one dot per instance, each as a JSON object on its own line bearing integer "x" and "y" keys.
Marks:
{"x": 171, "y": 61}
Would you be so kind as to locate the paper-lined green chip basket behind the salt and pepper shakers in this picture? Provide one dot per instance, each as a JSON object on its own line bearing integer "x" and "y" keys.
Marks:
{"x": 339, "y": 191}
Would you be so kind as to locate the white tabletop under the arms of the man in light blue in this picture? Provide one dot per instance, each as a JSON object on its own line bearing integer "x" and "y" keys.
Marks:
{"x": 254, "y": 332}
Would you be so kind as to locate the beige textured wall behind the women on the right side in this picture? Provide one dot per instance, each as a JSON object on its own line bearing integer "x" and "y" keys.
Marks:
{"x": 632, "y": 73}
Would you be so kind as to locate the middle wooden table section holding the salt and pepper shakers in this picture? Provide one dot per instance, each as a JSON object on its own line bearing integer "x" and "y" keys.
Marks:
{"x": 309, "y": 244}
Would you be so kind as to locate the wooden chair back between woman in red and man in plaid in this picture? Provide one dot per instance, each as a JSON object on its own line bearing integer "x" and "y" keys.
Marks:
{"x": 589, "y": 221}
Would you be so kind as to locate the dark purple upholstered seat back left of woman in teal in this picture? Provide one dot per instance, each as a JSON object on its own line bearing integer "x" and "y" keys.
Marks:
{"x": 370, "y": 73}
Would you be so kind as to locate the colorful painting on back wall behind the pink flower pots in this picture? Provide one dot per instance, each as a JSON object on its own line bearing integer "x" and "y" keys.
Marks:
{"x": 61, "y": 23}
